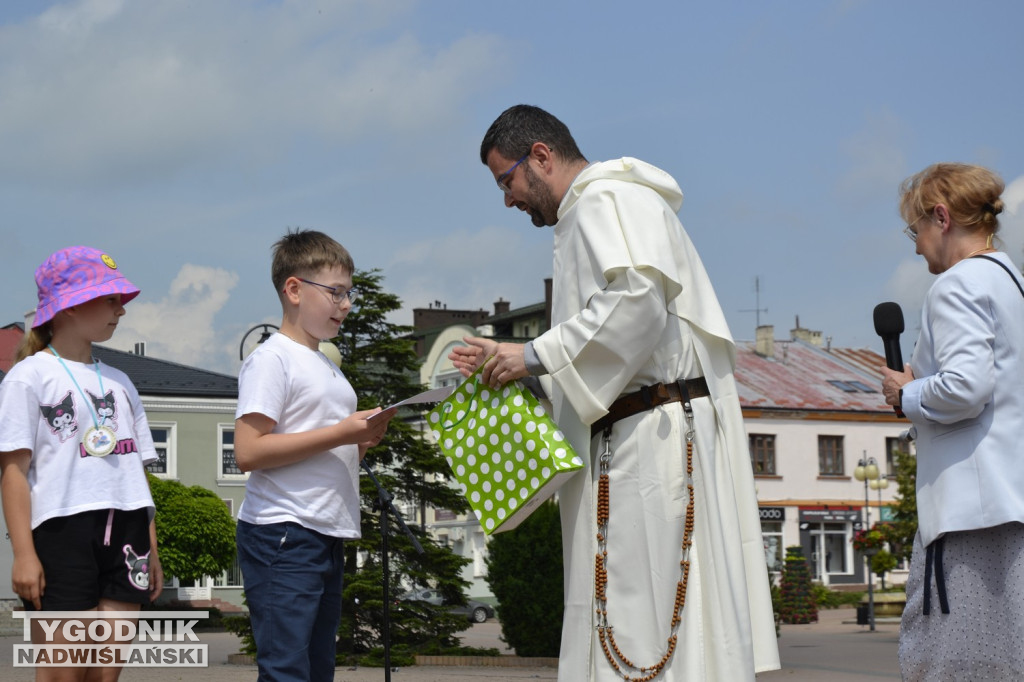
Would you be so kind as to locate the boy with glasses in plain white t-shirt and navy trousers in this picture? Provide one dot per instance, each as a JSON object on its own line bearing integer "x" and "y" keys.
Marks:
{"x": 300, "y": 435}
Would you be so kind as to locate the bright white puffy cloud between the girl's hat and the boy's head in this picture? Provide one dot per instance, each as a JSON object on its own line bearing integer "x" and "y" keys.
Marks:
{"x": 181, "y": 327}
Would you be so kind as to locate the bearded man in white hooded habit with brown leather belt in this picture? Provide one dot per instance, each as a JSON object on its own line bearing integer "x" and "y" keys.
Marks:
{"x": 665, "y": 567}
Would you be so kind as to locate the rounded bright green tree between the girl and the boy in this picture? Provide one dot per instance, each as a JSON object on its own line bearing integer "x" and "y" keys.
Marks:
{"x": 195, "y": 531}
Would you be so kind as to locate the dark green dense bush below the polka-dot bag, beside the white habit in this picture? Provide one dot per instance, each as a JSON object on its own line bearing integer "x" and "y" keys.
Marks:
{"x": 525, "y": 572}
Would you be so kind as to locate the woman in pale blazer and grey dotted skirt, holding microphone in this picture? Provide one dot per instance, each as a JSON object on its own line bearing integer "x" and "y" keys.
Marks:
{"x": 964, "y": 393}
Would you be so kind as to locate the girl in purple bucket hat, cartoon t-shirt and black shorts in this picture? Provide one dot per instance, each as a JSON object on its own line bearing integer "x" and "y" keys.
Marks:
{"x": 74, "y": 441}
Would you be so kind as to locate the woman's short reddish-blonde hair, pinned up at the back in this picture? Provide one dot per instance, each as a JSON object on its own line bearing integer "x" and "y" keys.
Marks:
{"x": 970, "y": 193}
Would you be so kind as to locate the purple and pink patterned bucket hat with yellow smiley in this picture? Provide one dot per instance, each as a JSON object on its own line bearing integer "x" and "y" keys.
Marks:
{"x": 76, "y": 276}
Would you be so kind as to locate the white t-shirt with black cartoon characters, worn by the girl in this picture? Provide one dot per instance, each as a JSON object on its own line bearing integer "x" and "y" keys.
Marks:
{"x": 44, "y": 411}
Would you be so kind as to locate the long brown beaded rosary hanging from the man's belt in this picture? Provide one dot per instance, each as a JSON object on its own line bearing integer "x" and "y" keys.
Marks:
{"x": 605, "y": 630}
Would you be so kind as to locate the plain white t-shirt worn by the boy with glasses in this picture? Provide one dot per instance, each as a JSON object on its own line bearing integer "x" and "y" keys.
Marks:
{"x": 302, "y": 391}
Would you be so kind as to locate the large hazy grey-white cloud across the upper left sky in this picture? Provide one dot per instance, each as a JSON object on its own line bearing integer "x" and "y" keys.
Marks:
{"x": 104, "y": 90}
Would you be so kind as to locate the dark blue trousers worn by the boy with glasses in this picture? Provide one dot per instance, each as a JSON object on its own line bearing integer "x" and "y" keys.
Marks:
{"x": 293, "y": 579}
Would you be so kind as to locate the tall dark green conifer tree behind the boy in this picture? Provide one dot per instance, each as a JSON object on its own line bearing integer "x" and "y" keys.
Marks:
{"x": 383, "y": 369}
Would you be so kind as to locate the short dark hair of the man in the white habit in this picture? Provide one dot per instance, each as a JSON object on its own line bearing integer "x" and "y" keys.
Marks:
{"x": 515, "y": 133}
